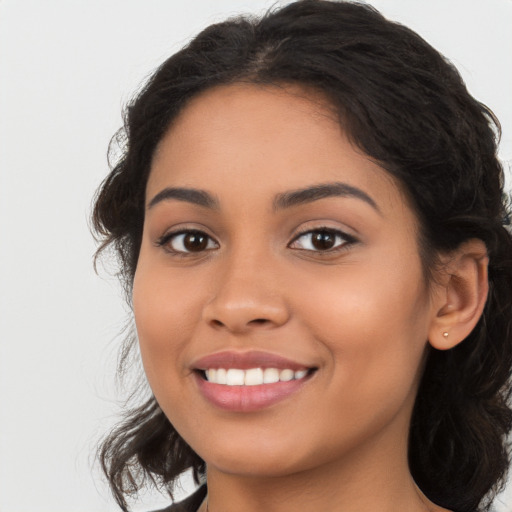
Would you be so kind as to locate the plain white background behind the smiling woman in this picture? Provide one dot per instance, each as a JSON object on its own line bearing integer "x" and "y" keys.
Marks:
{"x": 66, "y": 68}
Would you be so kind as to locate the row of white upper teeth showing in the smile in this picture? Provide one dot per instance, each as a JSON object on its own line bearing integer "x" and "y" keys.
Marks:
{"x": 253, "y": 376}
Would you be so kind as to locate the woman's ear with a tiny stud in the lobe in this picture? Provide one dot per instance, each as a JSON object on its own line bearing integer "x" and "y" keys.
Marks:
{"x": 460, "y": 298}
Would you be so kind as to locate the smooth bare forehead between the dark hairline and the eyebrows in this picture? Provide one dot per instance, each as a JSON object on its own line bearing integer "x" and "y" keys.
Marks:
{"x": 264, "y": 139}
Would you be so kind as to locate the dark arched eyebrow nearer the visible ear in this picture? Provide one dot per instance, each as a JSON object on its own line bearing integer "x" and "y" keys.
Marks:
{"x": 322, "y": 191}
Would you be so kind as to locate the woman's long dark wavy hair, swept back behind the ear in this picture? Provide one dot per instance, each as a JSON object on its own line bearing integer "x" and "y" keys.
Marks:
{"x": 408, "y": 109}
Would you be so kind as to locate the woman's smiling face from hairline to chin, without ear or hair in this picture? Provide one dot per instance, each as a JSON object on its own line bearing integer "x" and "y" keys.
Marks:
{"x": 274, "y": 250}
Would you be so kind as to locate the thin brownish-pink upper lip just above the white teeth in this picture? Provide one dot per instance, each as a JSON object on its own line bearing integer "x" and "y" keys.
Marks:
{"x": 245, "y": 360}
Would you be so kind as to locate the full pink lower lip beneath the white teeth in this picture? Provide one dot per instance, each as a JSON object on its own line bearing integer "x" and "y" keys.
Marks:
{"x": 248, "y": 398}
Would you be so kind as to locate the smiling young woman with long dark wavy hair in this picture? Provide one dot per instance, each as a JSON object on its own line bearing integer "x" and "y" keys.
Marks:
{"x": 309, "y": 220}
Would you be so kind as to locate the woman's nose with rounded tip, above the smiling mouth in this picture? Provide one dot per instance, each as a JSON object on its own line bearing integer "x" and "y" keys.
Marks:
{"x": 247, "y": 296}
